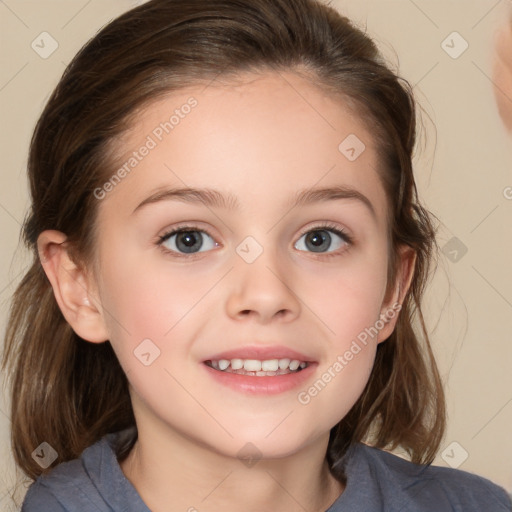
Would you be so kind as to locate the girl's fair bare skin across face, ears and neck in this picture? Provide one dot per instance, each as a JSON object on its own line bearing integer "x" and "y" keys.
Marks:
{"x": 263, "y": 142}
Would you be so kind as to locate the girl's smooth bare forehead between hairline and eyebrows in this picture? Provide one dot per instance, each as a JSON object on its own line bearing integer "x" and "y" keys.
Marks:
{"x": 261, "y": 136}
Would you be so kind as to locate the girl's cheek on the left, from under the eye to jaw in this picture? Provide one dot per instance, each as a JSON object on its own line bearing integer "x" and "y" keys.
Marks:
{"x": 151, "y": 318}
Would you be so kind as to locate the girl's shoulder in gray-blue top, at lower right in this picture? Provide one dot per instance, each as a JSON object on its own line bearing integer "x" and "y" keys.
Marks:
{"x": 427, "y": 487}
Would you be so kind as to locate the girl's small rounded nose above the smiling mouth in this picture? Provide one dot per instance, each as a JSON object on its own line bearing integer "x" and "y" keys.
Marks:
{"x": 262, "y": 290}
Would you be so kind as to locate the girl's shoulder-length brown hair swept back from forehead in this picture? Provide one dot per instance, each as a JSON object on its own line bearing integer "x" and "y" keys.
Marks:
{"x": 58, "y": 380}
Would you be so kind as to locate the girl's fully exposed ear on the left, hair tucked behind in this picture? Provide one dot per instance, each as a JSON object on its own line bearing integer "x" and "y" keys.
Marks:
{"x": 72, "y": 287}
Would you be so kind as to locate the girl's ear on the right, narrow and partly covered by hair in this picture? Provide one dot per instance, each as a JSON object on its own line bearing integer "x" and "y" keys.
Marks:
{"x": 391, "y": 309}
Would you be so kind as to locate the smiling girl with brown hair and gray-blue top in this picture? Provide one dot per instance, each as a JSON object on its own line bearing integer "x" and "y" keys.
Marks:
{"x": 229, "y": 254}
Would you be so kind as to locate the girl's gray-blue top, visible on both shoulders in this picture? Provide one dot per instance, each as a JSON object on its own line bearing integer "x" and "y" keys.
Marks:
{"x": 376, "y": 481}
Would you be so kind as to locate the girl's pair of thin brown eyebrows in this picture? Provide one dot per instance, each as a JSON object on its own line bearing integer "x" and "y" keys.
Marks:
{"x": 215, "y": 199}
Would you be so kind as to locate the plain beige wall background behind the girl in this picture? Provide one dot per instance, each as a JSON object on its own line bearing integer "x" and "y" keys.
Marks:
{"x": 463, "y": 170}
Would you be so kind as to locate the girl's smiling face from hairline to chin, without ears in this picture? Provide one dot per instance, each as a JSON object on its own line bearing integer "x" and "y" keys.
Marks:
{"x": 252, "y": 278}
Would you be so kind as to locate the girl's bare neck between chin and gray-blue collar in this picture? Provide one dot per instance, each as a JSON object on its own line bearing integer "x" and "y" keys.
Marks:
{"x": 174, "y": 473}
